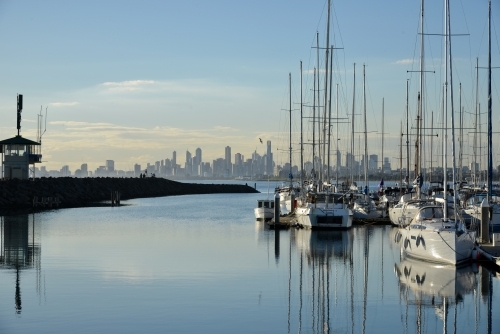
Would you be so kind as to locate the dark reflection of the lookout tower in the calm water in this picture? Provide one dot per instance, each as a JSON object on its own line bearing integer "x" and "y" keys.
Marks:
{"x": 20, "y": 249}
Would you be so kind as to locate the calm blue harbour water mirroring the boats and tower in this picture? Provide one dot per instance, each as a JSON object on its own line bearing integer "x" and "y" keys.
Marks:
{"x": 202, "y": 264}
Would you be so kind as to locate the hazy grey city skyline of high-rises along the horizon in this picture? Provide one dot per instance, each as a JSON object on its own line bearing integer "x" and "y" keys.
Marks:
{"x": 257, "y": 166}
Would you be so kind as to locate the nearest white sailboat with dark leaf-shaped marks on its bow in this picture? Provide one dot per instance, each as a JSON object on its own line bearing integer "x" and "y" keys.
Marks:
{"x": 435, "y": 234}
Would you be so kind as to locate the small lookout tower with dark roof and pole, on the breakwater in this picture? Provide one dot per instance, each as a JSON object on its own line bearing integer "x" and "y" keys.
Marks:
{"x": 18, "y": 152}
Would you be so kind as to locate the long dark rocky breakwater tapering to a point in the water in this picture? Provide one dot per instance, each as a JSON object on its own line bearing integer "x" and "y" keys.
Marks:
{"x": 19, "y": 195}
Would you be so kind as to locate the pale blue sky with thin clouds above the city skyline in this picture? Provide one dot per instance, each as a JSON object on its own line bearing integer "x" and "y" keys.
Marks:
{"x": 133, "y": 81}
